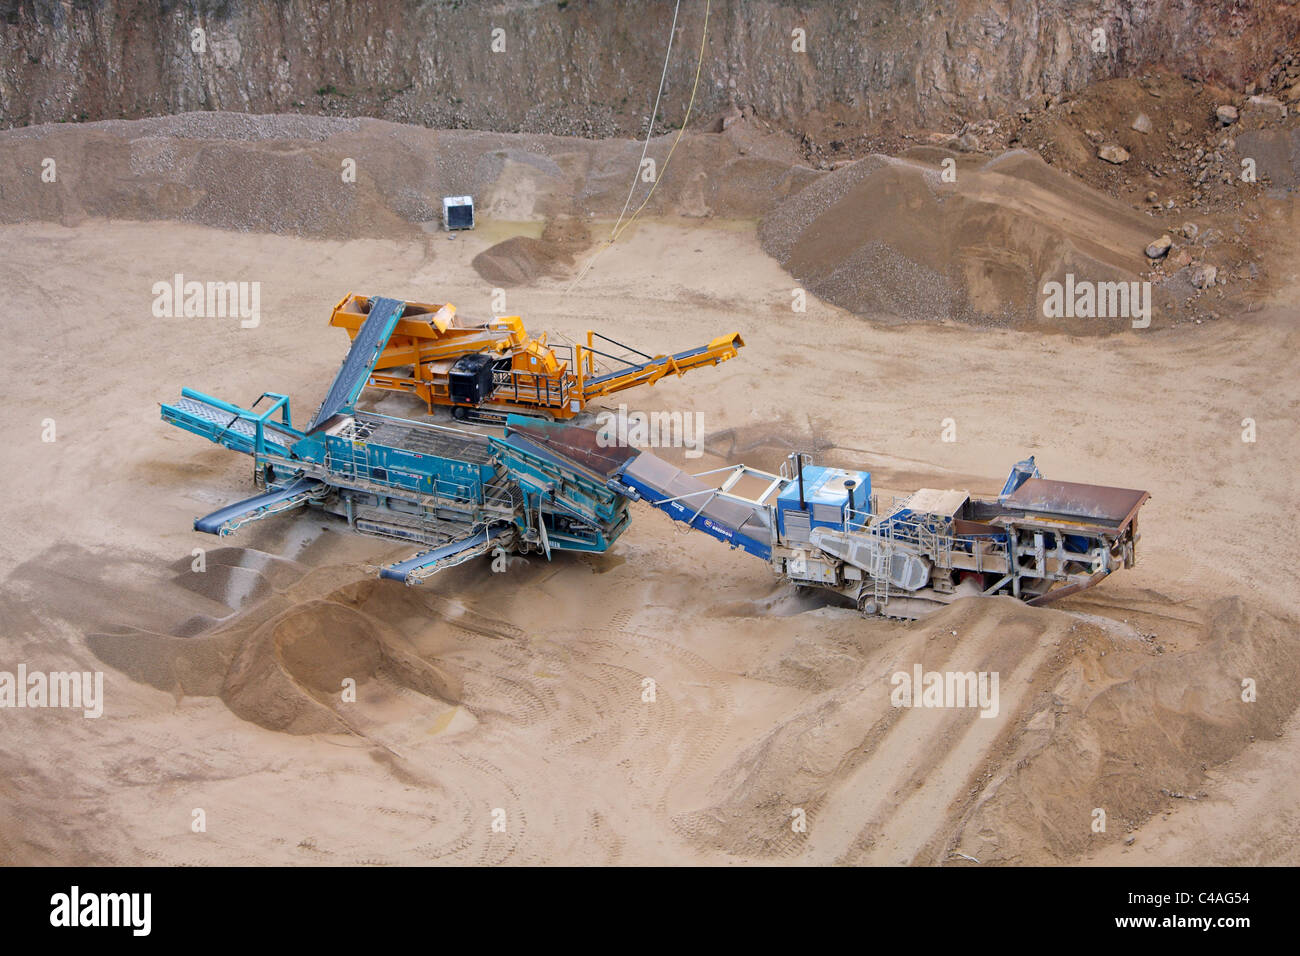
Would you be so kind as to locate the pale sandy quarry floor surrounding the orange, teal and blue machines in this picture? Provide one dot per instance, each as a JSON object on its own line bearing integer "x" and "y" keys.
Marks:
{"x": 523, "y": 693}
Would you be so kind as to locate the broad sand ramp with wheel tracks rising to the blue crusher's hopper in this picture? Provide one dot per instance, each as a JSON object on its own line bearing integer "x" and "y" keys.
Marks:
{"x": 1089, "y": 716}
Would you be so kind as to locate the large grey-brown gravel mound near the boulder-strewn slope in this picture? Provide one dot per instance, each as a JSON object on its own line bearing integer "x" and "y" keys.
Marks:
{"x": 891, "y": 236}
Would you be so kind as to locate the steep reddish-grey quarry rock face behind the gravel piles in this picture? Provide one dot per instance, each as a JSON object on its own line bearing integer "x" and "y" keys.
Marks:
{"x": 588, "y": 68}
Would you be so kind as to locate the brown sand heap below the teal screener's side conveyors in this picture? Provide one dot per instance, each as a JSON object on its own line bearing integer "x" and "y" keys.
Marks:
{"x": 296, "y": 654}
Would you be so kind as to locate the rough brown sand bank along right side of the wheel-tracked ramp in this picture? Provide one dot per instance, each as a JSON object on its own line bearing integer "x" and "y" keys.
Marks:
{"x": 1130, "y": 733}
